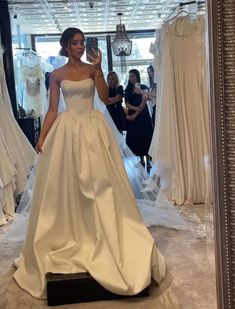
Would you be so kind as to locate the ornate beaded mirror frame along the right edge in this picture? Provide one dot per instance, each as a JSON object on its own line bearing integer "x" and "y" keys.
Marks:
{"x": 221, "y": 29}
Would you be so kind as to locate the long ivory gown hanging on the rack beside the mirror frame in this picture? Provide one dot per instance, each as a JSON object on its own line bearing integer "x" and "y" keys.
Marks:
{"x": 180, "y": 146}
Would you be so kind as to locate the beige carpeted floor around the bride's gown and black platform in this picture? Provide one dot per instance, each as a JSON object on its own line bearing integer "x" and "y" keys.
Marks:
{"x": 189, "y": 284}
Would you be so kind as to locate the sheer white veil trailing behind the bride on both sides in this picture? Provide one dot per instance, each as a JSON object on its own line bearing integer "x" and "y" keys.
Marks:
{"x": 155, "y": 208}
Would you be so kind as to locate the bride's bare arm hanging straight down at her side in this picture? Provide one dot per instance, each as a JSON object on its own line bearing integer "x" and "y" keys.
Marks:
{"x": 51, "y": 112}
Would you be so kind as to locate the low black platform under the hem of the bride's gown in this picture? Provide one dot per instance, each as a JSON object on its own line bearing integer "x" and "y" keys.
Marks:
{"x": 78, "y": 288}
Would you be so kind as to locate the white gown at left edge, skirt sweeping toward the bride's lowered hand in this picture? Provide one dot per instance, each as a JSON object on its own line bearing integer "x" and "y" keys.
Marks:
{"x": 21, "y": 152}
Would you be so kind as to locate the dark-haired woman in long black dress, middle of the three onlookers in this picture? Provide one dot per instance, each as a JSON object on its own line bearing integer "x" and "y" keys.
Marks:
{"x": 139, "y": 123}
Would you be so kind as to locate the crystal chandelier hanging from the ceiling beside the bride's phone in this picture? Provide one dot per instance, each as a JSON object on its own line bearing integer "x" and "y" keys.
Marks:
{"x": 121, "y": 45}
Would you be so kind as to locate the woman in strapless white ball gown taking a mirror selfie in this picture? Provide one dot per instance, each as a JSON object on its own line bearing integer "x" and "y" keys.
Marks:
{"x": 84, "y": 216}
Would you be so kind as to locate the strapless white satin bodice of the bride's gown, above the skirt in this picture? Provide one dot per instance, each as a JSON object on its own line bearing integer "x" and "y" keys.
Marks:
{"x": 78, "y": 95}
